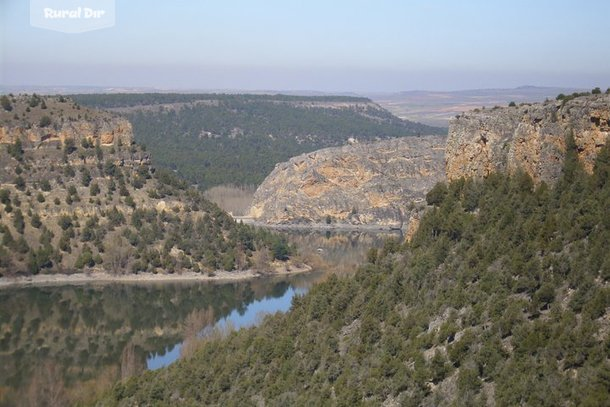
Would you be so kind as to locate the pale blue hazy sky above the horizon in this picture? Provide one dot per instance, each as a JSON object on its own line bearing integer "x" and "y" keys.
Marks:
{"x": 327, "y": 45}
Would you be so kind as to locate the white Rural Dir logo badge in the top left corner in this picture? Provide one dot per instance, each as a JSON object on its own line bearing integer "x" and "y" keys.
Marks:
{"x": 72, "y": 16}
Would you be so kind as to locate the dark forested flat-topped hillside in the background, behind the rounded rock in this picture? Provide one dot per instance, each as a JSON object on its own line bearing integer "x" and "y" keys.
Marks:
{"x": 213, "y": 139}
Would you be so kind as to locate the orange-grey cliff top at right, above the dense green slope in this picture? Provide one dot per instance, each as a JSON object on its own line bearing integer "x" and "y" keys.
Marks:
{"x": 527, "y": 137}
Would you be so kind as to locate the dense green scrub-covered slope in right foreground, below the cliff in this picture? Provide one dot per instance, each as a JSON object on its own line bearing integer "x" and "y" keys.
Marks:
{"x": 502, "y": 295}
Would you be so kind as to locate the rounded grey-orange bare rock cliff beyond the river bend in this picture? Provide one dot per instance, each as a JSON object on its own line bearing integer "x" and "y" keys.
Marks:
{"x": 357, "y": 184}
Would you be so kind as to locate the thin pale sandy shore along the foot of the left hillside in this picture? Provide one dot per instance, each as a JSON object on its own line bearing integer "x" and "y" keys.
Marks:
{"x": 99, "y": 276}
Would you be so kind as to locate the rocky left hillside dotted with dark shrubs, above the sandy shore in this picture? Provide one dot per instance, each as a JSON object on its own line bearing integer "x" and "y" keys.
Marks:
{"x": 77, "y": 193}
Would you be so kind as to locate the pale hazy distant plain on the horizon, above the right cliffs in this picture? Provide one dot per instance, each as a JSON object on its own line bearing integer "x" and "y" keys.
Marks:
{"x": 436, "y": 108}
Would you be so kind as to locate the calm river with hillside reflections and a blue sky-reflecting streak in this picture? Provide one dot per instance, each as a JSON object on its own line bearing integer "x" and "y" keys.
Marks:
{"x": 62, "y": 345}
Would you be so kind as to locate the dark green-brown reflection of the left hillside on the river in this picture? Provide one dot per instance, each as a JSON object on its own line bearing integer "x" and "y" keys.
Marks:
{"x": 86, "y": 332}
